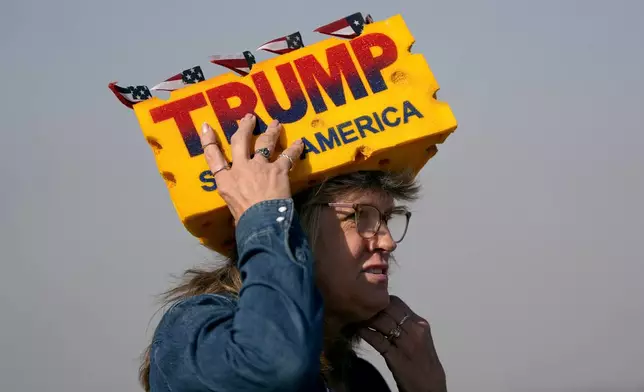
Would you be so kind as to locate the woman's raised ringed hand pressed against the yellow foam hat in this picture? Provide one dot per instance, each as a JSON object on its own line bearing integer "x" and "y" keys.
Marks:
{"x": 250, "y": 180}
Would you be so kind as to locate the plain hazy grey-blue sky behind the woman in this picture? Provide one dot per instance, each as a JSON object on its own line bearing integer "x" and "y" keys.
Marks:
{"x": 525, "y": 252}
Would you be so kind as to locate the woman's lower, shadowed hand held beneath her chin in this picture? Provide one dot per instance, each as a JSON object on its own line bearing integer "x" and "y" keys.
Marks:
{"x": 404, "y": 339}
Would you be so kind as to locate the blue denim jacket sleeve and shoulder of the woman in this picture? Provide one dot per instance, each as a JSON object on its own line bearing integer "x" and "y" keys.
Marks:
{"x": 270, "y": 339}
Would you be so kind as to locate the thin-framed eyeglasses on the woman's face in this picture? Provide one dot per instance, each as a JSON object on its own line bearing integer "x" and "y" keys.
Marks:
{"x": 368, "y": 219}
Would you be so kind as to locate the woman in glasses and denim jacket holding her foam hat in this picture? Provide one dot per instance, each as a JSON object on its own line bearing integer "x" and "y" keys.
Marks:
{"x": 276, "y": 318}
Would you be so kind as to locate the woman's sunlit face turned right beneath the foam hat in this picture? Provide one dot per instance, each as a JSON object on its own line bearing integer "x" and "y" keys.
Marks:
{"x": 352, "y": 271}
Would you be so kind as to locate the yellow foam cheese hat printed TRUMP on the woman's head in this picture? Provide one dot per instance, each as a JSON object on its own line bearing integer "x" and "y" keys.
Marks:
{"x": 355, "y": 103}
